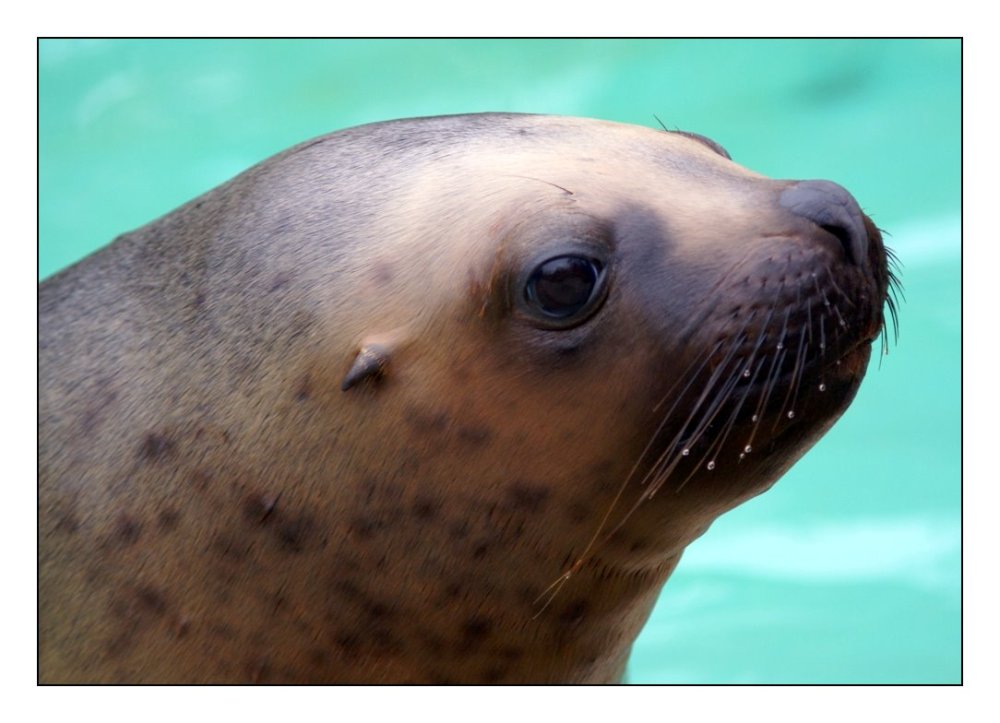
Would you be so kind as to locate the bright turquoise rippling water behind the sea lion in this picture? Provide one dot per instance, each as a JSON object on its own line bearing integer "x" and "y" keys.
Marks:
{"x": 848, "y": 570}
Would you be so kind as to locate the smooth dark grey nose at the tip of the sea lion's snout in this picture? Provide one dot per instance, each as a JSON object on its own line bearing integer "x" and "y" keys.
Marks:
{"x": 833, "y": 209}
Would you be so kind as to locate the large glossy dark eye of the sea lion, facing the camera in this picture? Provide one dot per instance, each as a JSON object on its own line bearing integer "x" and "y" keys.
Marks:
{"x": 562, "y": 287}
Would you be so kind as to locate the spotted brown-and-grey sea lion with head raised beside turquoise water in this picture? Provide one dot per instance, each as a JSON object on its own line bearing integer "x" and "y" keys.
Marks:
{"x": 433, "y": 400}
